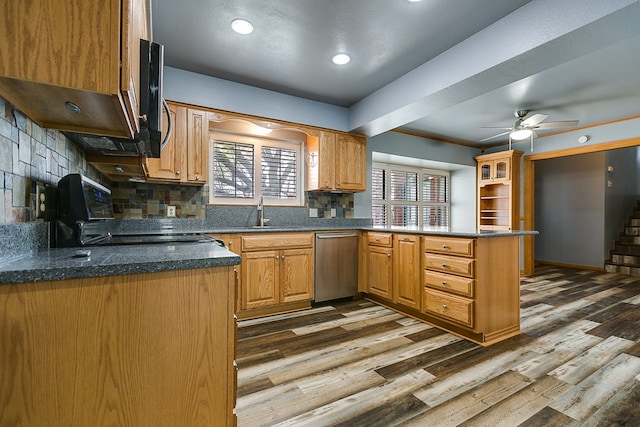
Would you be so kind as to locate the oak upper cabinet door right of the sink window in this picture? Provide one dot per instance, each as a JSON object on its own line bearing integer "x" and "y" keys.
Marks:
{"x": 351, "y": 154}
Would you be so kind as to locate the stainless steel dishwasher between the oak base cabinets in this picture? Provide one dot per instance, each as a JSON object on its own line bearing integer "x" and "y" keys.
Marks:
{"x": 336, "y": 266}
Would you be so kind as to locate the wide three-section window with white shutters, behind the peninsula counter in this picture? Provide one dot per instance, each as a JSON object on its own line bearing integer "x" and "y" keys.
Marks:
{"x": 403, "y": 196}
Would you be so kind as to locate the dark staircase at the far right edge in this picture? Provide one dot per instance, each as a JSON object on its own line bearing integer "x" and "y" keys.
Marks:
{"x": 625, "y": 256}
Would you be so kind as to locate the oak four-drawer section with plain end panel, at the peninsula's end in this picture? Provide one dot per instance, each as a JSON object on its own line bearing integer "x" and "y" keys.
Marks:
{"x": 471, "y": 286}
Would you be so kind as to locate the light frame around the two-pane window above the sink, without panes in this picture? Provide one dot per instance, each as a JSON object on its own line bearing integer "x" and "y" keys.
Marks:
{"x": 257, "y": 142}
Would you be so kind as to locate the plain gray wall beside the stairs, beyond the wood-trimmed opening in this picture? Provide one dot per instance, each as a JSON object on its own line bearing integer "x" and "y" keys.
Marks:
{"x": 581, "y": 206}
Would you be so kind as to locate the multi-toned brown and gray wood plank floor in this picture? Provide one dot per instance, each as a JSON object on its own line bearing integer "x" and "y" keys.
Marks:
{"x": 354, "y": 363}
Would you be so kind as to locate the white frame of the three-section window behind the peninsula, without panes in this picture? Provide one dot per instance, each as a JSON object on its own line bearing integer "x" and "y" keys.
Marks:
{"x": 388, "y": 204}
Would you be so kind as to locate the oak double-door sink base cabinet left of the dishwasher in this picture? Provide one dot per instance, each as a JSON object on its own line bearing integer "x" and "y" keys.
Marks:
{"x": 277, "y": 273}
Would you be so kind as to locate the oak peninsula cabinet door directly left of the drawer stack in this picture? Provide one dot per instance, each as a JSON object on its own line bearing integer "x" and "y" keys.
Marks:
{"x": 407, "y": 271}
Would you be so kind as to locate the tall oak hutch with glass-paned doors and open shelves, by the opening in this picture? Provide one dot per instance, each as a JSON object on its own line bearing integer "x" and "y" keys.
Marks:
{"x": 498, "y": 191}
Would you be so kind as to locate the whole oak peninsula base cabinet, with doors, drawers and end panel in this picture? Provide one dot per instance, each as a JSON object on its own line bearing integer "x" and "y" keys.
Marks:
{"x": 467, "y": 286}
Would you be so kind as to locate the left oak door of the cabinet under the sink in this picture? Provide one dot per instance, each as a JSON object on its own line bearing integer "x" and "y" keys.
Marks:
{"x": 260, "y": 279}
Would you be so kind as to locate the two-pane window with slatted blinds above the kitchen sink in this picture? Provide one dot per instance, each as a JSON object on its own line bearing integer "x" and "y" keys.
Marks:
{"x": 245, "y": 167}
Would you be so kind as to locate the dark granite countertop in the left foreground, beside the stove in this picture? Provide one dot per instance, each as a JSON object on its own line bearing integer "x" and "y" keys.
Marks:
{"x": 63, "y": 263}
